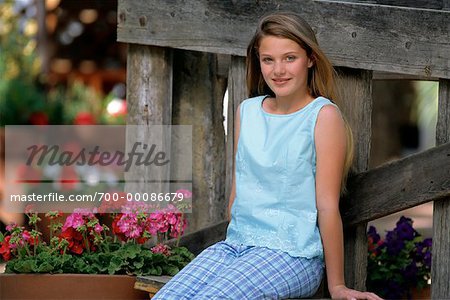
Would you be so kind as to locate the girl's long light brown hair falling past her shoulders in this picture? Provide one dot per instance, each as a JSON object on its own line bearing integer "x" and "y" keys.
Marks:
{"x": 321, "y": 76}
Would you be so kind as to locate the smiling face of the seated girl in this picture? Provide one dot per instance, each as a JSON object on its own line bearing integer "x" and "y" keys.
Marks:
{"x": 284, "y": 66}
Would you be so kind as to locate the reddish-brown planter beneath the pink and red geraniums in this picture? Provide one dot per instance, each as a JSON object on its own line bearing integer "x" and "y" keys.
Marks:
{"x": 68, "y": 286}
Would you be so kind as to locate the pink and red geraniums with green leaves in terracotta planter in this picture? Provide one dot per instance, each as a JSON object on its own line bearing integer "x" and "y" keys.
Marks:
{"x": 82, "y": 244}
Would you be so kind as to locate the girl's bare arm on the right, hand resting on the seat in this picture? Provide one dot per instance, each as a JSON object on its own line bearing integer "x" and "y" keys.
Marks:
{"x": 330, "y": 141}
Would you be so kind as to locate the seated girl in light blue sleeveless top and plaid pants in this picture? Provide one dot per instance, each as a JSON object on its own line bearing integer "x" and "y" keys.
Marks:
{"x": 293, "y": 152}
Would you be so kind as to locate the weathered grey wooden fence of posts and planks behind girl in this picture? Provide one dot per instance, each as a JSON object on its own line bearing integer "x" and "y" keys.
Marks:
{"x": 183, "y": 55}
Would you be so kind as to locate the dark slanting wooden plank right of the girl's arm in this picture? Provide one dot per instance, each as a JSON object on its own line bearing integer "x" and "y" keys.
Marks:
{"x": 412, "y": 181}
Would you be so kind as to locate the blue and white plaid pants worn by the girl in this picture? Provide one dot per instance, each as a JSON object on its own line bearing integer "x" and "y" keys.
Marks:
{"x": 224, "y": 271}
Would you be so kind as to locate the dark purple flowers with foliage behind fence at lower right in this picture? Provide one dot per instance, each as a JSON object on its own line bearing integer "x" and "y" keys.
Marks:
{"x": 399, "y": 264}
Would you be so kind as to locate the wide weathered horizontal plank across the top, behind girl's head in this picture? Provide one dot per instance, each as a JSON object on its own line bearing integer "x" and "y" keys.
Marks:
{"x": 365, "y": 36}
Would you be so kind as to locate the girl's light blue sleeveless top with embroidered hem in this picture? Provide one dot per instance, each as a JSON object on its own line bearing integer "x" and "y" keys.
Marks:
{"x": 275, "y": 204}
